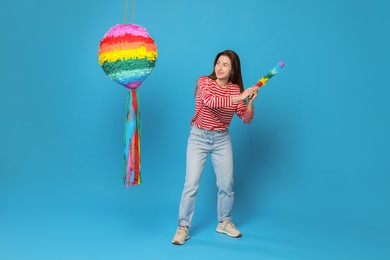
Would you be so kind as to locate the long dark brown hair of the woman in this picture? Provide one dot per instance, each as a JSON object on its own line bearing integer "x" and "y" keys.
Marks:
{"x": 235, "y": 77}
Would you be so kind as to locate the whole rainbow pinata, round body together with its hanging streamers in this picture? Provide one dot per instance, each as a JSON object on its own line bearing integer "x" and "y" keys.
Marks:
{"x": 128, "y": 54}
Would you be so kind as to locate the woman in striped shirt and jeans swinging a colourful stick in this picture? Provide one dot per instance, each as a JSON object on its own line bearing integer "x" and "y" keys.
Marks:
{"x": 218, "y": 97}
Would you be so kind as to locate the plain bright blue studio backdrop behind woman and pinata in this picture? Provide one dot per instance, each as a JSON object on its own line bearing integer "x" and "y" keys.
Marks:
{"x": 312, "y": 170}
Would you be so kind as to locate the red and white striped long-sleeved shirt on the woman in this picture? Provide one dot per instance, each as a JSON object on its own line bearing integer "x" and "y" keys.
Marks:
{"x": 214, "y": 108}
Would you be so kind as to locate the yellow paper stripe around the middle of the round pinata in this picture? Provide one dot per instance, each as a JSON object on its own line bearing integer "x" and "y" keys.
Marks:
{"x": 139, "y": 53}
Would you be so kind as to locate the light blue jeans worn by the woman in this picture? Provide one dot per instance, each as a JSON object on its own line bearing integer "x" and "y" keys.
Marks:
{"x": 202, "y": 142}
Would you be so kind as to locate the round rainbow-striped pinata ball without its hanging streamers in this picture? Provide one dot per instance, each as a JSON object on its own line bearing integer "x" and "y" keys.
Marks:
{"x": 127, "y": 54}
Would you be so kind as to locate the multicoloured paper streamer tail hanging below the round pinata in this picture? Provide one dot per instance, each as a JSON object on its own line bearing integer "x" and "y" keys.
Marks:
{"x": 131, "y": 160}
